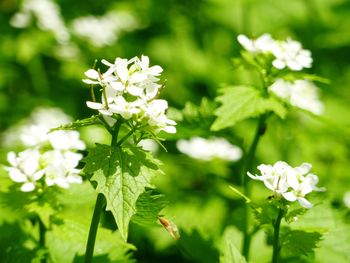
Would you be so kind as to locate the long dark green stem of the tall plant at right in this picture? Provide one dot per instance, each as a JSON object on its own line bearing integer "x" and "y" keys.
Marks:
{"x": 248, "y": 166}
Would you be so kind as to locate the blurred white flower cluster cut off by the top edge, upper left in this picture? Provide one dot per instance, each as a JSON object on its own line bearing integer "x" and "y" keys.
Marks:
{"x": 48, "y": 16}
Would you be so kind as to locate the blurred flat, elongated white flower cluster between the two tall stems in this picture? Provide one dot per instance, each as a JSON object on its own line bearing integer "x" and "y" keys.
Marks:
{"x": 209, "y": 149}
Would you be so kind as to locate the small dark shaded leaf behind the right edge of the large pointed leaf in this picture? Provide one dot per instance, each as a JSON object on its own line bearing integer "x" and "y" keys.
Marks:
{"x": 148, "y": 207}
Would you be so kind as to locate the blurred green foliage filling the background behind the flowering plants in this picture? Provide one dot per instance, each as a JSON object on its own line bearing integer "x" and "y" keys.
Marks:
{"x": 194, "y": 41}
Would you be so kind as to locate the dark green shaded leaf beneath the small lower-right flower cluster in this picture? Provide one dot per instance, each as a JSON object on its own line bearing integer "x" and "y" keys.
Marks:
{"x": 298, "y": 242}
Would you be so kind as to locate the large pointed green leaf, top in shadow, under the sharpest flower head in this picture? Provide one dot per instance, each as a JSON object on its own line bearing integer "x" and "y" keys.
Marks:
{"x": 122, "y": 174}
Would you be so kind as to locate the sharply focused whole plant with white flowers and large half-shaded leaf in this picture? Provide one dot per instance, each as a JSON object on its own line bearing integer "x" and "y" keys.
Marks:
{"x": 129, "y": 108}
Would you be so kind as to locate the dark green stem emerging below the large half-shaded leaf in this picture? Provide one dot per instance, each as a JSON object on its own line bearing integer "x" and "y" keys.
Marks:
{"x": 93, "y": 228}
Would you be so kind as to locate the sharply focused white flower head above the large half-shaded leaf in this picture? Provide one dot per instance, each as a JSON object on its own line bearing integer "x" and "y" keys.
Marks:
{"x": 129, "y": 90}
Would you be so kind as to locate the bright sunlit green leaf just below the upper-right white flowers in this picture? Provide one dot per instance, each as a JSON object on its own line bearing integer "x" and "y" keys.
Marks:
{"x": 243, "y": 102}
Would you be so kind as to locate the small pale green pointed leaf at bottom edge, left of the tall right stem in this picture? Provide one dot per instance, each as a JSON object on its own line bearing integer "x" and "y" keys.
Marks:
{"x": 230, "y": 253}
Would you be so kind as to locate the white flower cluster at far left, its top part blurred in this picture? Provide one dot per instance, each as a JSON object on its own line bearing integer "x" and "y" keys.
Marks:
{"x": 51, "y": 158}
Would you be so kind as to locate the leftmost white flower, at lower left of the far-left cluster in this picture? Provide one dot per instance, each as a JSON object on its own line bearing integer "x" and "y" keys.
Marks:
{"x": 25, "y": 168}
